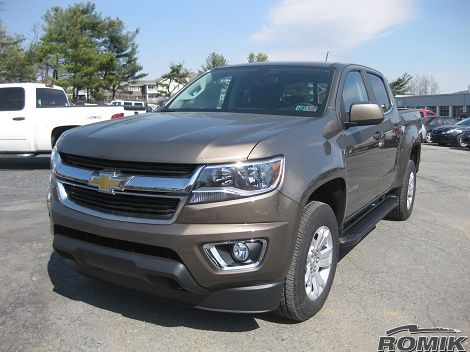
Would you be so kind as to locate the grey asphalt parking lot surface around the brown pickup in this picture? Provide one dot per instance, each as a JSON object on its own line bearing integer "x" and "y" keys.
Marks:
{"x": 414, "y": 272}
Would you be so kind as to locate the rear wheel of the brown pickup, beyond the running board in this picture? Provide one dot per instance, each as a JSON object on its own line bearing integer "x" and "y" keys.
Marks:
{"x": 405, "y": 194}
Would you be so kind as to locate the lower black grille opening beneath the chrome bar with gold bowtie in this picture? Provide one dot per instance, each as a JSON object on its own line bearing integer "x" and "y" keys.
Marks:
{"x": 128, "y": 205}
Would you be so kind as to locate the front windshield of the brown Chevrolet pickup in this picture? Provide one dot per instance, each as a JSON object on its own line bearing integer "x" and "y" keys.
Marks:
{"x": 263, "y": 89}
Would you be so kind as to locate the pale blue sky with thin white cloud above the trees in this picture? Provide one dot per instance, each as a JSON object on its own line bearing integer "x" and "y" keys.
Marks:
{"x": 394, "y": 36}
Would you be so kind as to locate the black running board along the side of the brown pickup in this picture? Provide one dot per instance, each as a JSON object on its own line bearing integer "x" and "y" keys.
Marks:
{"x": 366, "y": 223}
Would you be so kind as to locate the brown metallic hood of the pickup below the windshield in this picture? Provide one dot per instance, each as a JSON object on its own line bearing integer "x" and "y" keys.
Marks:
{"x": 183, "y": 137}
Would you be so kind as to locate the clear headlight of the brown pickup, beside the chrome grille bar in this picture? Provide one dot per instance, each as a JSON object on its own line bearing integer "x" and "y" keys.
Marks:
{"x": 239, "y": 180}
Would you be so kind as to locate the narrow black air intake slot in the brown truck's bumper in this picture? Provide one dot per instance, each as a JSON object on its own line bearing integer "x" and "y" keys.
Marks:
{"x": 108, "y": 242}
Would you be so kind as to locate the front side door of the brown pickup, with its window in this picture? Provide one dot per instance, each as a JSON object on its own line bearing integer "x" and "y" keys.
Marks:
{"x": 361, "y": 147}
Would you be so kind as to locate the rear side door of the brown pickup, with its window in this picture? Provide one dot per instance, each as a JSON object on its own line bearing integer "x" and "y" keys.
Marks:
{"x": 390, "y": 131}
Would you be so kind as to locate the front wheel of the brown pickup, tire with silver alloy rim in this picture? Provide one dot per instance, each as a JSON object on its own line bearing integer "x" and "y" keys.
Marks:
{"x": 313, "y": 265}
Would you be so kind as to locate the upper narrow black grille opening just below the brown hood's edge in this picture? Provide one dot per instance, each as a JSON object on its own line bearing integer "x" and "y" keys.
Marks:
{"x": 129, "y": 167}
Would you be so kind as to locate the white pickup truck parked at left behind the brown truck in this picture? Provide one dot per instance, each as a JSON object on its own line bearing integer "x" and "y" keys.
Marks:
{"x": 33, "y": 116}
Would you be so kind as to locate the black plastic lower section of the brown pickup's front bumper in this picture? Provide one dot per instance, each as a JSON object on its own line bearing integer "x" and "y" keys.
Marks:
{"x": 163, "y": 277}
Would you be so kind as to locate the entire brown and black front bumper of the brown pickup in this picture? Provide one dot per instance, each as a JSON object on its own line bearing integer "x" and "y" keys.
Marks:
{"x": 189, "y": 276}
